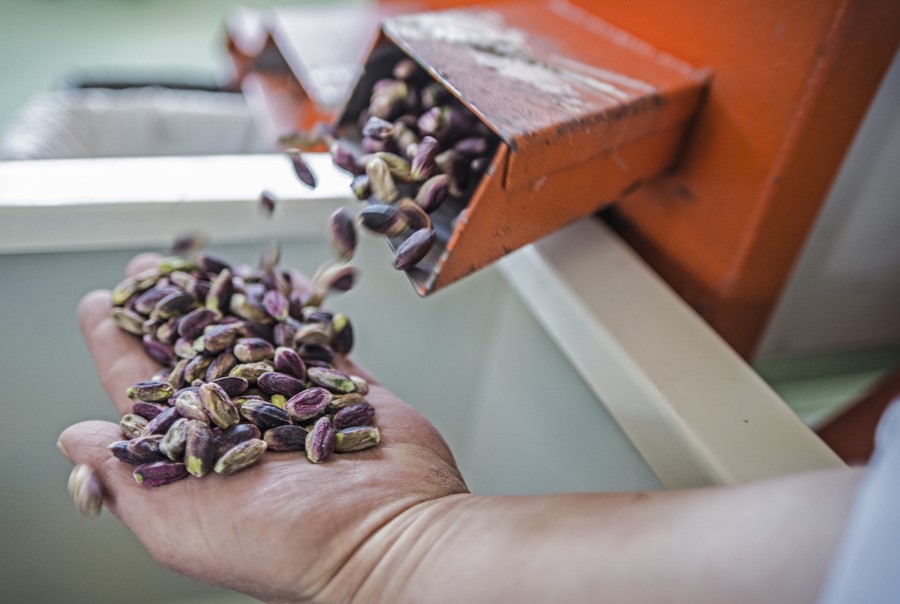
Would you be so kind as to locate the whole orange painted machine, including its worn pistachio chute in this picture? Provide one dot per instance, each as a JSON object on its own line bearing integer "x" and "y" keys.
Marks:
{"x": 715, "y": 174}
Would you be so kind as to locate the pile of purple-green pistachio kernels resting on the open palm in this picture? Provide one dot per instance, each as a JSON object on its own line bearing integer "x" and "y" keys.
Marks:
{"x": 247, "y": 366}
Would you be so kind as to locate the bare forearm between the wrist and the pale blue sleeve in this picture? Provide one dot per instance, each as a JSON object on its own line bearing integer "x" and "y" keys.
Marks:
{"x": 769, "y": 541}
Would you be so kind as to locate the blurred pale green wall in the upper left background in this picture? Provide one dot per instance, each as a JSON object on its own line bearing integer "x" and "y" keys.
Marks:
{"x": 43, "y": 40}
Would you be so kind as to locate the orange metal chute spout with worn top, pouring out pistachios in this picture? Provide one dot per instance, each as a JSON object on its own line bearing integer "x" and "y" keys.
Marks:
{"x": 583, "y": 113}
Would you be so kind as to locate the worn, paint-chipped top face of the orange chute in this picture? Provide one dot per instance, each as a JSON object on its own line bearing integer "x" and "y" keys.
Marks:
{"x": 558, "y": 93}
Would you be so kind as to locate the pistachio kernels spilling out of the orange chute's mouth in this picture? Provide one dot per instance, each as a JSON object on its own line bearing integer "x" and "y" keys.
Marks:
{"x": 418, "y": 147}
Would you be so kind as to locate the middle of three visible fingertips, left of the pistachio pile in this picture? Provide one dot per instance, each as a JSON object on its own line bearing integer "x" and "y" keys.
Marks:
{"x": 119, "y": 357}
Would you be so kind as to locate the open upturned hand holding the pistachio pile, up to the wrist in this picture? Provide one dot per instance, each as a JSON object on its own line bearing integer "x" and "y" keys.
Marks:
{"x": 284, "y": 529}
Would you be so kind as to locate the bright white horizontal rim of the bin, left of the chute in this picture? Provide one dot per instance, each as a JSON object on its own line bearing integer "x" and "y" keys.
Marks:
{"x": 85, "y": 204}
